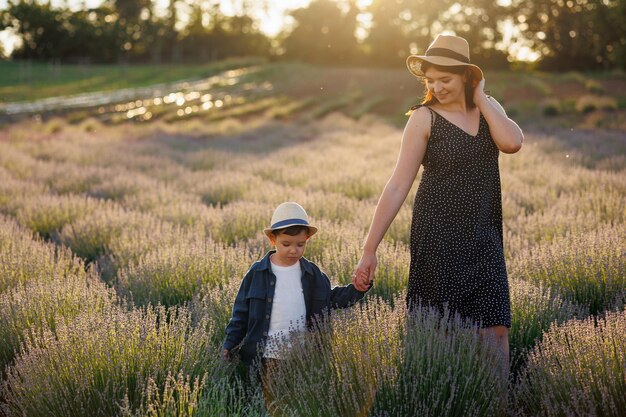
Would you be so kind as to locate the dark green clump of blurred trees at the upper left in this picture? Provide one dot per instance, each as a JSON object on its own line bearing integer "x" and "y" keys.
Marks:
{"x": 122, "y": 30}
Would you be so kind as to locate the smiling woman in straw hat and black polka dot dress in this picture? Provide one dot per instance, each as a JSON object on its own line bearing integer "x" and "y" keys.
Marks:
{"x": 457, "y": 132}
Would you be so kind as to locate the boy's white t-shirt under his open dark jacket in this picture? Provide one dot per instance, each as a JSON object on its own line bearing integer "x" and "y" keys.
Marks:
{"x": 288, "y": 309}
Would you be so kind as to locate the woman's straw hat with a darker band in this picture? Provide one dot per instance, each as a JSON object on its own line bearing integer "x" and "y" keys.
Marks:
{"x": 445, "y": 51}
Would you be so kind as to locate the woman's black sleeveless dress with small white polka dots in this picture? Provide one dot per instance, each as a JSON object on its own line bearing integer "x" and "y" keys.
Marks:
{"x": 457, "y": 256}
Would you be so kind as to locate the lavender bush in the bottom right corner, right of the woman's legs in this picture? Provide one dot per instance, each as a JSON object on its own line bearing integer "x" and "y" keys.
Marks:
{"x": 578, "y": 369}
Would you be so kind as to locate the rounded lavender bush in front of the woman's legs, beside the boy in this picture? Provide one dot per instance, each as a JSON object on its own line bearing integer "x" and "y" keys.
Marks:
{"x": 374, "y": 360}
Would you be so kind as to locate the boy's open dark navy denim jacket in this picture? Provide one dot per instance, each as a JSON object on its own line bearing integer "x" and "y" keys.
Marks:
{"x": 250, "y": 319}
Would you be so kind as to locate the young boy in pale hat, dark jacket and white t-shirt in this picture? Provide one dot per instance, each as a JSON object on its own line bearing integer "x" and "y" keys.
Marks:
{"x": 282, "y": 292}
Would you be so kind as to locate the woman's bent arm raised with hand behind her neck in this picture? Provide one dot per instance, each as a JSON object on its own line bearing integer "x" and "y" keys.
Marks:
{"x": 506, "y": 134}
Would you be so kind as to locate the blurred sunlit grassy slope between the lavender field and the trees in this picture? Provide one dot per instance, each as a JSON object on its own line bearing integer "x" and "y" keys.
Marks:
{"x": 235, "y": 90}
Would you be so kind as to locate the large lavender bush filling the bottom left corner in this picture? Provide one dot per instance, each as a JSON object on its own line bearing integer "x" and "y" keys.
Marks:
{"x": 103, "y": 362}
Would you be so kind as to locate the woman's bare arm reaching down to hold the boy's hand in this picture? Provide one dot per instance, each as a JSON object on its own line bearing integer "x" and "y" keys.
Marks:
{"x": 414, "y": 141}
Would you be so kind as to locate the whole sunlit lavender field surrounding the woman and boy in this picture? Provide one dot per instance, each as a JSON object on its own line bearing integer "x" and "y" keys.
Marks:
{"x": 122, "y": 245}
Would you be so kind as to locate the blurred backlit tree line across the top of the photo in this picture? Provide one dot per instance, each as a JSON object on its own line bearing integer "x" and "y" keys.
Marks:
{"x": 568, "y": 34}
